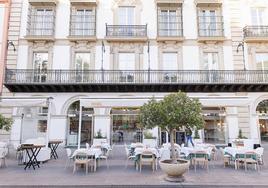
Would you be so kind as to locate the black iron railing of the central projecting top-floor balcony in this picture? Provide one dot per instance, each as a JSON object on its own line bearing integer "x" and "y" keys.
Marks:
{"x": 126, "y": 30}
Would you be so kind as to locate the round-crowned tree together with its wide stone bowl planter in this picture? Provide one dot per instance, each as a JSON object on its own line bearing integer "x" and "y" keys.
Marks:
{"x": 174, "y": 112}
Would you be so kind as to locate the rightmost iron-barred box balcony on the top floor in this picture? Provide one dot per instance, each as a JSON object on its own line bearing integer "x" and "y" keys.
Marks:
{"x": 210, "y": 28}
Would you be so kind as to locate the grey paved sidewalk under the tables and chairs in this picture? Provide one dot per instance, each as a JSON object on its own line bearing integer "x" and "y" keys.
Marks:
{"x": 52, "y": 173}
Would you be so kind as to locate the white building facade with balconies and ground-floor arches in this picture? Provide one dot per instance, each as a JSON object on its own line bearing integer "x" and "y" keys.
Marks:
{"x": 106, "y": 58}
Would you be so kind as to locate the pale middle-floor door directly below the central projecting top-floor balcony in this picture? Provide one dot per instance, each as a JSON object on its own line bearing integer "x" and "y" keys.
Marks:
{"x": 126, "y": 67}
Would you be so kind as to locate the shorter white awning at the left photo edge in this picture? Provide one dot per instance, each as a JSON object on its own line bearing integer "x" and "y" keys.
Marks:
{"x": 23, "y": 102}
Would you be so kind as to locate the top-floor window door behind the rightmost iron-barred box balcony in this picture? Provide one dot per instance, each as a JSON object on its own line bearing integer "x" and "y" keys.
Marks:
{"x": 208, "y": 23}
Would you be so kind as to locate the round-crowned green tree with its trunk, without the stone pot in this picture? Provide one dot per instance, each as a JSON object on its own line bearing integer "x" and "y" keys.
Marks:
{"x": 172, "y": 113}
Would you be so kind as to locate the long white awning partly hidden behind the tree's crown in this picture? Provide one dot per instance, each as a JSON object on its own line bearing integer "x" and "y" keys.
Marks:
{"x": 207, "y": 101}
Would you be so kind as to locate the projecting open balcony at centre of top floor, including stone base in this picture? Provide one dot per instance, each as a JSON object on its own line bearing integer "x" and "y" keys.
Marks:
{"x": 126, "y": 33}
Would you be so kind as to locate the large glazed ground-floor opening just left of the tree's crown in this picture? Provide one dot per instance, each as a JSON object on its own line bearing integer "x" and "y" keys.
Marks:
{"x": 125, "y": 125}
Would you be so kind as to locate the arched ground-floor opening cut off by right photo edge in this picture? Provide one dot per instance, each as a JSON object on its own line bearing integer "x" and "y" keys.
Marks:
{"x": 262, "y": 111}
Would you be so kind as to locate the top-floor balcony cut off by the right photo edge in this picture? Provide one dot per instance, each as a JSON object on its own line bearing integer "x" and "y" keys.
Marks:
{"x": 256, "y": 34}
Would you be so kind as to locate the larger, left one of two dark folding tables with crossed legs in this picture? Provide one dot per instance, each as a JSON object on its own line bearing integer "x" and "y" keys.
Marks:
{"x": 32, "y": 152}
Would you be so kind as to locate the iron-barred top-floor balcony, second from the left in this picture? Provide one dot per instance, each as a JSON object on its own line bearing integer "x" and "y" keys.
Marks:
{"x": 82, "y": 27}
